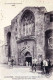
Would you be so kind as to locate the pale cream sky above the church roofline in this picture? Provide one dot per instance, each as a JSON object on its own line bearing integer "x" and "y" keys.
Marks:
{"x": 10, "y": 8}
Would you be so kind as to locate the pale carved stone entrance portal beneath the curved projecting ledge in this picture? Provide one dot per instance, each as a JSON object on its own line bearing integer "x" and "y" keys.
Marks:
{"x": 26, "y": 51}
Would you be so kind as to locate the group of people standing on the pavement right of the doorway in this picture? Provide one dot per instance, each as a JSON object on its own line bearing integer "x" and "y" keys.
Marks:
{"x": 45, "y": 66}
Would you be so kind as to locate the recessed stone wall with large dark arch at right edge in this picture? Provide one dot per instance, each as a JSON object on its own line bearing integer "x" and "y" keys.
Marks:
{"x": 49, "y": 36}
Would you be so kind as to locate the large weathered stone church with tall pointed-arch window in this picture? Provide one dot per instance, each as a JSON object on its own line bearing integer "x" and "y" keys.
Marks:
{"x": 30, "y": 36}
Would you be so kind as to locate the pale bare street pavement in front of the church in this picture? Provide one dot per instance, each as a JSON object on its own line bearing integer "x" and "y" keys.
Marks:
{"x": 22, "y": 73}
